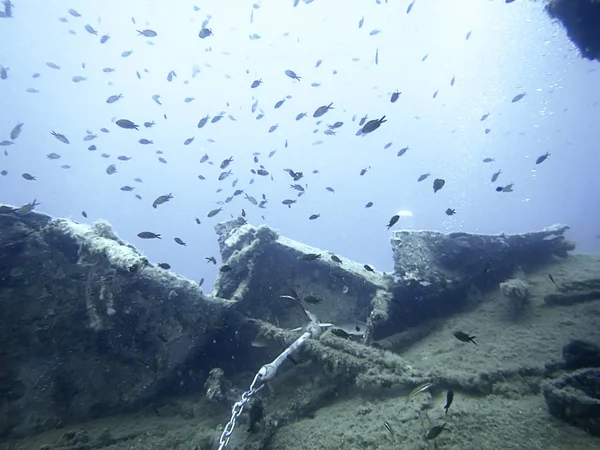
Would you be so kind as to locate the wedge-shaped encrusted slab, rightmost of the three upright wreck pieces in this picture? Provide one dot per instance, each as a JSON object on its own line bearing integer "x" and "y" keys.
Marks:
{"x": 444, "y": 273}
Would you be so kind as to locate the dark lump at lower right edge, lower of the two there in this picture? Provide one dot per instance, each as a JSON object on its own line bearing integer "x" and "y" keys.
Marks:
{"x": 575, "y": 398}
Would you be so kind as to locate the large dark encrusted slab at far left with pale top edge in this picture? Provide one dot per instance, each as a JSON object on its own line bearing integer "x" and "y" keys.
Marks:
{"x": 88, "y": 327}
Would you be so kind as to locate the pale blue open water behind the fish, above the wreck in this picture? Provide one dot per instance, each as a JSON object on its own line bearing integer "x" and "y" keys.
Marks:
{"x": 512, "y": 48}
